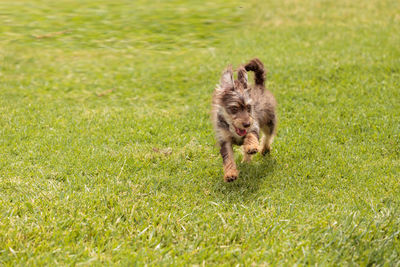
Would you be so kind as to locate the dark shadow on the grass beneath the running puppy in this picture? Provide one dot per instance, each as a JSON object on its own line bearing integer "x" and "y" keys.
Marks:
{"x": 250, "y": 178}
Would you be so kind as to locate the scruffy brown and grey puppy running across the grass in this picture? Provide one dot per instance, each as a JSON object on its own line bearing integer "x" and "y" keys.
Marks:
{"x": 239, "y": 112}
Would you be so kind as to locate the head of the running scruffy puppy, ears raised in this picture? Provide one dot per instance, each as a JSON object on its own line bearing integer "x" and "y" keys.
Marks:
{"x": 235, "y": 101}
